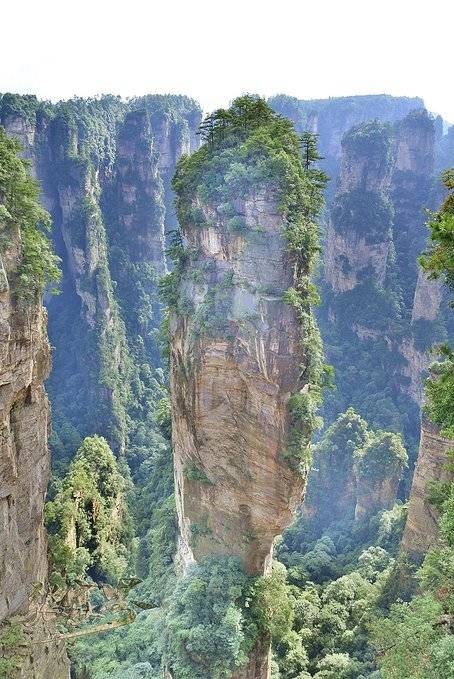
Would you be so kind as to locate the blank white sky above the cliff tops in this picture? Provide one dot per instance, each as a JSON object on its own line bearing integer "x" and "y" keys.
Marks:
{"x": 216, "y": 50}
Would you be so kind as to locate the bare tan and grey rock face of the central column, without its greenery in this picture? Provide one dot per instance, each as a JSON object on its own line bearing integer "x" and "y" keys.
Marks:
{"x": 230, "y": 390}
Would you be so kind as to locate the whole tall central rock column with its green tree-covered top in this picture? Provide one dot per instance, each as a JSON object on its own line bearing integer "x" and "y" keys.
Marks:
{"x": 245, "y": 363}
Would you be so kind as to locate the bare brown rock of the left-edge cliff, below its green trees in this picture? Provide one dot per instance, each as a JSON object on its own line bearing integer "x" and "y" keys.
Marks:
{"x": 24, "y": 474}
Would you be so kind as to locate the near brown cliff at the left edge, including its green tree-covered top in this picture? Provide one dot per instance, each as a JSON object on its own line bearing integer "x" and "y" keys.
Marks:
{"x": 26, "y": 263}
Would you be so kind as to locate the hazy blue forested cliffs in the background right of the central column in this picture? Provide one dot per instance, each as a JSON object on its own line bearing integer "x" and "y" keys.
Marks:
{"x": 379, "y": 314}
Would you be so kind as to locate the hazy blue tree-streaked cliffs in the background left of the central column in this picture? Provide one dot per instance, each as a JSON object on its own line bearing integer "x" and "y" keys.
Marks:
{"x": 105, "y": 168}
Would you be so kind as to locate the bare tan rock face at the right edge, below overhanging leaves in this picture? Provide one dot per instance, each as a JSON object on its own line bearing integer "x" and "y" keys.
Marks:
{"x": 421, "y": 529}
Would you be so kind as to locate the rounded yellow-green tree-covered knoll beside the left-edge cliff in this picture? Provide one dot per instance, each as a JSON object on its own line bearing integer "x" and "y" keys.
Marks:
{"x": 88, "y": 520}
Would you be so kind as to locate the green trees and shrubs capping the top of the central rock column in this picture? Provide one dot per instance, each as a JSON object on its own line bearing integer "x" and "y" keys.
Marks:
{"x": 252, "y": 147}
